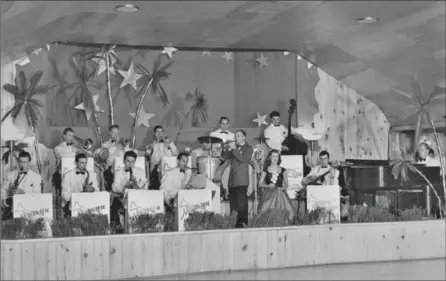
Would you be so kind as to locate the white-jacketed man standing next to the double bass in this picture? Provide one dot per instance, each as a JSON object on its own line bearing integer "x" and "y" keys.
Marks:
{"x": 275, "y": 133}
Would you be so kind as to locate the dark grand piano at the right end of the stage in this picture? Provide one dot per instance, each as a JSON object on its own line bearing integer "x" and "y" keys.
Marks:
{"x": 372, "y": 182}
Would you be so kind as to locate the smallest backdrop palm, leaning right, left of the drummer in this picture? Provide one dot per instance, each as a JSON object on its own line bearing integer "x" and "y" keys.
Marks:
{"x": 198, "y": 110}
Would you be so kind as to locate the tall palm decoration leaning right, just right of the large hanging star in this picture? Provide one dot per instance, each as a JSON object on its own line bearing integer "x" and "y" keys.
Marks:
{"x": 151, "y": 83}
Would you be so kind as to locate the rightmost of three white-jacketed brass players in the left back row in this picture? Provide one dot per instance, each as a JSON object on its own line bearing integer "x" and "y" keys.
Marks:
{"x": 161, "y": 147}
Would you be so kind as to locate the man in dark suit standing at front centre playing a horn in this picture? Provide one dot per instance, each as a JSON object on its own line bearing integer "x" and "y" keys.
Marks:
{"x": 240, "y": 154}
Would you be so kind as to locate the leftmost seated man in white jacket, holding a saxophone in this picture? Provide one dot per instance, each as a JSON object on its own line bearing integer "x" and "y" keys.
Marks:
{"x": 21, "y": 181}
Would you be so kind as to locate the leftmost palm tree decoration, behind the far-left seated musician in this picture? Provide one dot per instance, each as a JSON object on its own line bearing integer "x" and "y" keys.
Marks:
{"x": 25, "y": 100}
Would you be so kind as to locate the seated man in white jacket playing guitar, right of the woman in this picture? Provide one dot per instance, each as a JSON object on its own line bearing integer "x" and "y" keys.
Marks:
{"x": 322, "y": 174}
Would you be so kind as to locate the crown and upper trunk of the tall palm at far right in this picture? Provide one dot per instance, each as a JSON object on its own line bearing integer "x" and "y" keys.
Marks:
{"x": 421, "y": 105}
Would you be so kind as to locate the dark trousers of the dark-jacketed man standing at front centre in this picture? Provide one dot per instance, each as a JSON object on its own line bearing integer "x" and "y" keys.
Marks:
{"x": 238, "y": 202}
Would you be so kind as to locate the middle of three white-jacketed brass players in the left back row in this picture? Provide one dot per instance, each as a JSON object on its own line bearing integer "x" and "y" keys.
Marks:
{"x": 113, "y": 147}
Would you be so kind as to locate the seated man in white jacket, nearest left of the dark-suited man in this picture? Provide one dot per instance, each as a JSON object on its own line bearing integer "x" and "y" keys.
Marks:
{"x": 175, "y": 179}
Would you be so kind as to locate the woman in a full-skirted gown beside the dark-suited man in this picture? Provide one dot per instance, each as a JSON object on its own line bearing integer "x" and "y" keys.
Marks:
{"x": 274, "y": 181}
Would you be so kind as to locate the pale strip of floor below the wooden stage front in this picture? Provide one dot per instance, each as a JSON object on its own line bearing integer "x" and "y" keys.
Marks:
{"x": 433, "y": 269}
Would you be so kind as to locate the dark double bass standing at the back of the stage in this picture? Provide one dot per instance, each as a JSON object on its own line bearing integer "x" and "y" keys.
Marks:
{"x": 295, "y": 145}
